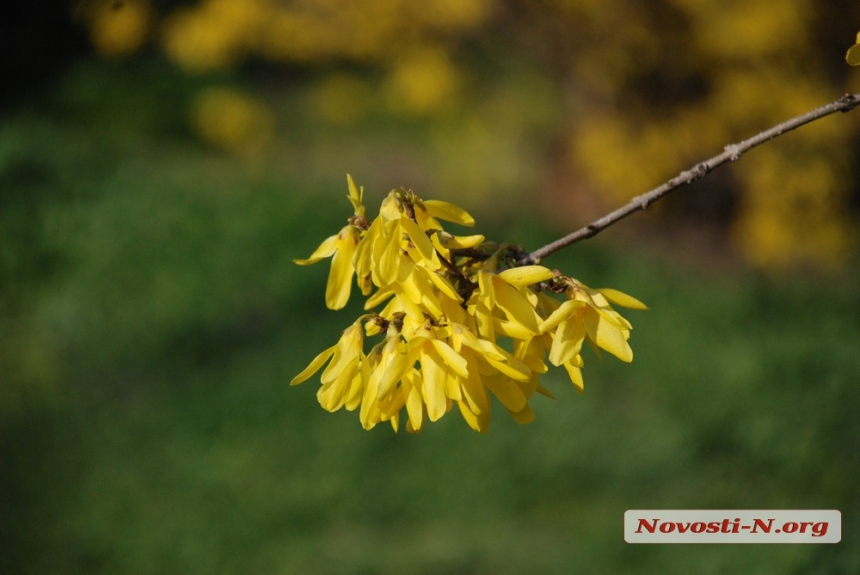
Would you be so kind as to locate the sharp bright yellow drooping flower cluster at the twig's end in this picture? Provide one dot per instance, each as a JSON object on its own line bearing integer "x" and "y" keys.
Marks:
{"x": 446, "y": 303}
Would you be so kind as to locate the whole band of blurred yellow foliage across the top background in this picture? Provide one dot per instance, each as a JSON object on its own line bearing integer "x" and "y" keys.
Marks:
{"x": 615, "y": 96}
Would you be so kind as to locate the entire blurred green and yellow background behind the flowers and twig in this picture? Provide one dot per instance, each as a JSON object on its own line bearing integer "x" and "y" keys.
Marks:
{"x": 162, "y": 163}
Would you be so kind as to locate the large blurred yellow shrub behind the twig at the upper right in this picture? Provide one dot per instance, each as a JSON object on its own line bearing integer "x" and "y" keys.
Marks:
{"x": 665, "y": 96}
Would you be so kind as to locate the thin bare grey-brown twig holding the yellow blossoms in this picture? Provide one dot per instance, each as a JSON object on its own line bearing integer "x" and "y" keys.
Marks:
{"x": 731, "y": 152}
